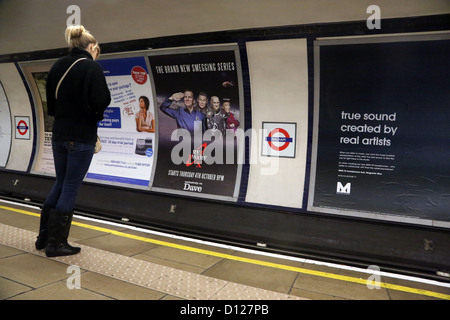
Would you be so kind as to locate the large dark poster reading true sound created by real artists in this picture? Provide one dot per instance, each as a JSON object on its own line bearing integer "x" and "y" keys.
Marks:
{"x": 382, "y": 128}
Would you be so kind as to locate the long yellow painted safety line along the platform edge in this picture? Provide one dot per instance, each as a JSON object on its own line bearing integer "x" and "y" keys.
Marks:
{"x": 253, "y": 261}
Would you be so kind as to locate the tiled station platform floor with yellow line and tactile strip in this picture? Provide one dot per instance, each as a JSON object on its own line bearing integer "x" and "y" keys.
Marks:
{"x": 122, "y": 263}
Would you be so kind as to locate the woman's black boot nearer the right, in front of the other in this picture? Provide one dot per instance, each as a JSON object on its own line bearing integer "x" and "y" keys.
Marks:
{"x": 58, "y": 232}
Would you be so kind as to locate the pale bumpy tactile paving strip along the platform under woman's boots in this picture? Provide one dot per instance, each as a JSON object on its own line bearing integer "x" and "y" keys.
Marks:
{"x": 172, "y": 281}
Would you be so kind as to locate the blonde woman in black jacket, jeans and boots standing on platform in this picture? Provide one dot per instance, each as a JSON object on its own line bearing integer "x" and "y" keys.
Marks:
{"x": 77, "y": 95}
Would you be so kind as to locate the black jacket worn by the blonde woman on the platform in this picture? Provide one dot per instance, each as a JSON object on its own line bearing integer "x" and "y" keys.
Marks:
{"x": 82, "y": 97}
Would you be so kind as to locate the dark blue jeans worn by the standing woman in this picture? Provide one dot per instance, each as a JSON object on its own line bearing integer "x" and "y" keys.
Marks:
{"x": 72, "y": 161}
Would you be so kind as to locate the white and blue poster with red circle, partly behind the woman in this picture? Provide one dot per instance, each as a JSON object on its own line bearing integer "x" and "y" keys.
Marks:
{"x": 127, "y": 131}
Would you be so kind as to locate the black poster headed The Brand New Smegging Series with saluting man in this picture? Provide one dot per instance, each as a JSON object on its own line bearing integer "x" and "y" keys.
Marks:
{"x": 199, "y": 105}
